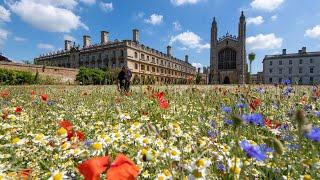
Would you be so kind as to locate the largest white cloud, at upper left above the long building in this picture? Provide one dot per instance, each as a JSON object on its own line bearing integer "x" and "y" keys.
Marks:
{"x": 46, "y": 16}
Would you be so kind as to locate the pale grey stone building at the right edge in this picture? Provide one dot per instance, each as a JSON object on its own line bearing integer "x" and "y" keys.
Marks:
{"x": 301, "y": 68}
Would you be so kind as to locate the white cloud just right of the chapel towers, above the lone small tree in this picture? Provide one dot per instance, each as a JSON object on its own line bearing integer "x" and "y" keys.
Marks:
{"x": 264, "y": 41}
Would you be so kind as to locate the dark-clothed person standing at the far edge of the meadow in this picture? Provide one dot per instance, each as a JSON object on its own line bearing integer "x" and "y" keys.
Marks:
{"x": 124, "y": 79}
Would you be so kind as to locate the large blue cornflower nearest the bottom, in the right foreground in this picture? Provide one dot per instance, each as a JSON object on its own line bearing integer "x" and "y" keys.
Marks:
{"x": 257, "y": 152}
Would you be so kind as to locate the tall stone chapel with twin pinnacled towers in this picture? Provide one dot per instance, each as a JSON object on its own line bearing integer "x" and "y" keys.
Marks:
{"x": 228, "y": 56}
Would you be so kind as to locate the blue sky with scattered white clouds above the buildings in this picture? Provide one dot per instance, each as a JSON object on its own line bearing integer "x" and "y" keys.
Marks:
{"x": 29, "y": 28}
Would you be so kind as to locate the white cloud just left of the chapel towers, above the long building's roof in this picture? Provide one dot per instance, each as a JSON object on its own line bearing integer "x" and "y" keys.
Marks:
{"x": 189, "y": 40}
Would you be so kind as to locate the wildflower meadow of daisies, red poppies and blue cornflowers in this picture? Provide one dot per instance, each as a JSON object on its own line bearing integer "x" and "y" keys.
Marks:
{"x": 167, "y": 132}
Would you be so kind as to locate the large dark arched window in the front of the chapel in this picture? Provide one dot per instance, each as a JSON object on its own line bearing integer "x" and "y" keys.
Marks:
{"x": 227, "y": 59}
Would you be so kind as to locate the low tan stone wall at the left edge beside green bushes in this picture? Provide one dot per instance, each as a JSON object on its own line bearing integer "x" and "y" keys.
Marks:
{"x": 63, "y": 75}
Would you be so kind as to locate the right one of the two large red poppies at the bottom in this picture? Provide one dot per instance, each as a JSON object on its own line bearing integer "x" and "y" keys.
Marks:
{"x": 122, "y": 169}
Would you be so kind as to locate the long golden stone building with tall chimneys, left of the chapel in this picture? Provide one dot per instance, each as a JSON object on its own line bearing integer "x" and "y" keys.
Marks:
{"x": 144, "y": 62}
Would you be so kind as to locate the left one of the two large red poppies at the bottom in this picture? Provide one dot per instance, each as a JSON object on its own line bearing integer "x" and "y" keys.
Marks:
{"x": 92, "y": 168}
